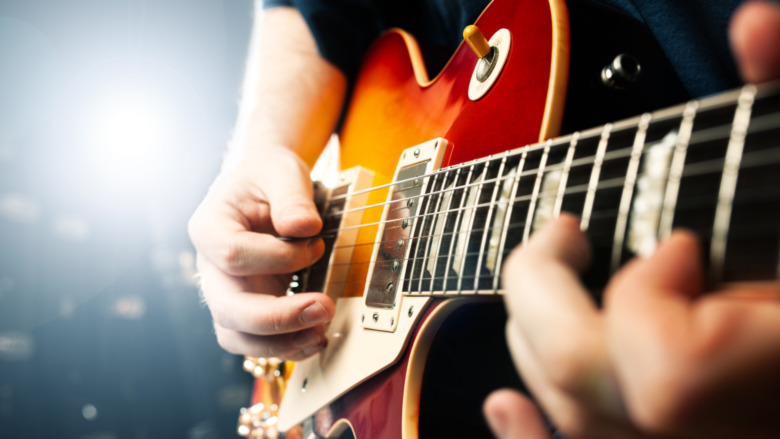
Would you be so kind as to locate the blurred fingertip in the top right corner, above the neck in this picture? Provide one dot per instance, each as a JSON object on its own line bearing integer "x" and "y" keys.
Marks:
{"x": 755, "y": 40}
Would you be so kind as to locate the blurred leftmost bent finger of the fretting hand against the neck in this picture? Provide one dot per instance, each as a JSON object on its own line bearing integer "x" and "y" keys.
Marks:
{"x": 543, "y": 290}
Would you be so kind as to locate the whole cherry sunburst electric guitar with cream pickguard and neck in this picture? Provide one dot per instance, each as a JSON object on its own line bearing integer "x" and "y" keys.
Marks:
{"x": 444, "y": 177}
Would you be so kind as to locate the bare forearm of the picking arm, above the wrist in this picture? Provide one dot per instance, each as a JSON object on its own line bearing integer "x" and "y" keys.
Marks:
{"x": 291, "y": 96}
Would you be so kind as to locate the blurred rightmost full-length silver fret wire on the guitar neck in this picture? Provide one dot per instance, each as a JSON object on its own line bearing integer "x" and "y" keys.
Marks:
{"x": 728, "y": 183}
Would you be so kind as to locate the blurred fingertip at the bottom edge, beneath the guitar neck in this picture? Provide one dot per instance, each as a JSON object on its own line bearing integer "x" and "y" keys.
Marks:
{"x": 512, "y": 415}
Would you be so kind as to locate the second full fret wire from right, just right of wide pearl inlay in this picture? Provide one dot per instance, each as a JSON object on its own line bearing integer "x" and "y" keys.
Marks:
{"x": 676, "y": 170}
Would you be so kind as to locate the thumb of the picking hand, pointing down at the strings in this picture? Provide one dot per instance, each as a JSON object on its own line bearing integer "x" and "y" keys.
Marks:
{"x": 290, "y": 193}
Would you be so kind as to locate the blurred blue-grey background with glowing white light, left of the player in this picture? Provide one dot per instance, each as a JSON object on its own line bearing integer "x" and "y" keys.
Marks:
{"x": 113, "y": 118}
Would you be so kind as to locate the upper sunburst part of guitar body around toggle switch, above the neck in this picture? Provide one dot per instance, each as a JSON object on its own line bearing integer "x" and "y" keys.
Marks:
{"x": 395, "y": 105}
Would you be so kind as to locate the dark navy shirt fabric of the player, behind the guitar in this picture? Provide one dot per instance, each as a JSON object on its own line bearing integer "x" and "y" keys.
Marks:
{"x": 692, "y": 33}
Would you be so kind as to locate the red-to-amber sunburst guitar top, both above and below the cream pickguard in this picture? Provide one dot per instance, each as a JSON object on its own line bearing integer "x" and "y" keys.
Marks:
{"x": 395, "y": 105}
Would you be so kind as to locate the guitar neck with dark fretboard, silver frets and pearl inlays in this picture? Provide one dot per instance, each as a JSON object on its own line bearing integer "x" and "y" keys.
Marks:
{"x": 710, "y": 166}
